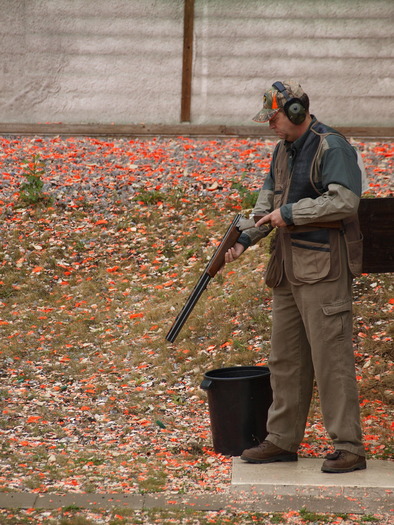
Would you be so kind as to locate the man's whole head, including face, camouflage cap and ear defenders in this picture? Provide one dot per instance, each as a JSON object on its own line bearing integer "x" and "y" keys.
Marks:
{"x": 286, "y": 108}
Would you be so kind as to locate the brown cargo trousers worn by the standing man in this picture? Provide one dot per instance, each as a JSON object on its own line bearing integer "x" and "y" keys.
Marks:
{"x": 312, "y": 340}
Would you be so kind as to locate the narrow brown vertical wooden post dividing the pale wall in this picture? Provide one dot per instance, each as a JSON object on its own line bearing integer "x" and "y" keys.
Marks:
{"x": 187, "y": 66}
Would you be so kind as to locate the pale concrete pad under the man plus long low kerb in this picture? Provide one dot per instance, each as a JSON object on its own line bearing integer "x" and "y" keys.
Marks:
{"x": 275, "y": 487}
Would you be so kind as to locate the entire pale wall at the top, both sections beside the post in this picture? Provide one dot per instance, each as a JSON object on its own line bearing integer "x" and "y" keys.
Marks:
{"x": 120, "y": 61}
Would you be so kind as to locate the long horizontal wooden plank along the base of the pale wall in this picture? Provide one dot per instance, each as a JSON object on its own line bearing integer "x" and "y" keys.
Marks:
{"x": 184, "y": 129}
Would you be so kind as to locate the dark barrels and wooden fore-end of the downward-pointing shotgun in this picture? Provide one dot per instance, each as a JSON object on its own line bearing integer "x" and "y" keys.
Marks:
{"x": 229, "y": 239}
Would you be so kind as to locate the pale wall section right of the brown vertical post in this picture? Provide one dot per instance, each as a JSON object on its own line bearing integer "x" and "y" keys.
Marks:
{"x": 340, "y": 51}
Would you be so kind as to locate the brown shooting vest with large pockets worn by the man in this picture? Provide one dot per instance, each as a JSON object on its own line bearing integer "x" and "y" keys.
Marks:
{"x": 309, "y": 254}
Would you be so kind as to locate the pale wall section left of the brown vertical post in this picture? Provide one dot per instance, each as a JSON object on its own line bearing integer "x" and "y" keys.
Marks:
{"x": 91, "y": 61}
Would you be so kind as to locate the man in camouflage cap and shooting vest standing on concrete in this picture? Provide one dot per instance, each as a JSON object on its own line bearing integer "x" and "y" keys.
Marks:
{"x": 310, "y": 196}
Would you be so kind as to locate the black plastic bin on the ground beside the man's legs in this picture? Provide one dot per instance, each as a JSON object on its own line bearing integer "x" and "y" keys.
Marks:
{"x": 238, "y": 400}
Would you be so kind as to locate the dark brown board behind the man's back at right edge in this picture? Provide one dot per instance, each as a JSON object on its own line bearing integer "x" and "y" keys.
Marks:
{"x": 377, "y": 225}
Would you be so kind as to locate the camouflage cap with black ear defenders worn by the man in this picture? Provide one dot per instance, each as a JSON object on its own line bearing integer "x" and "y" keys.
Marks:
{"x": 287, "y": 96}
